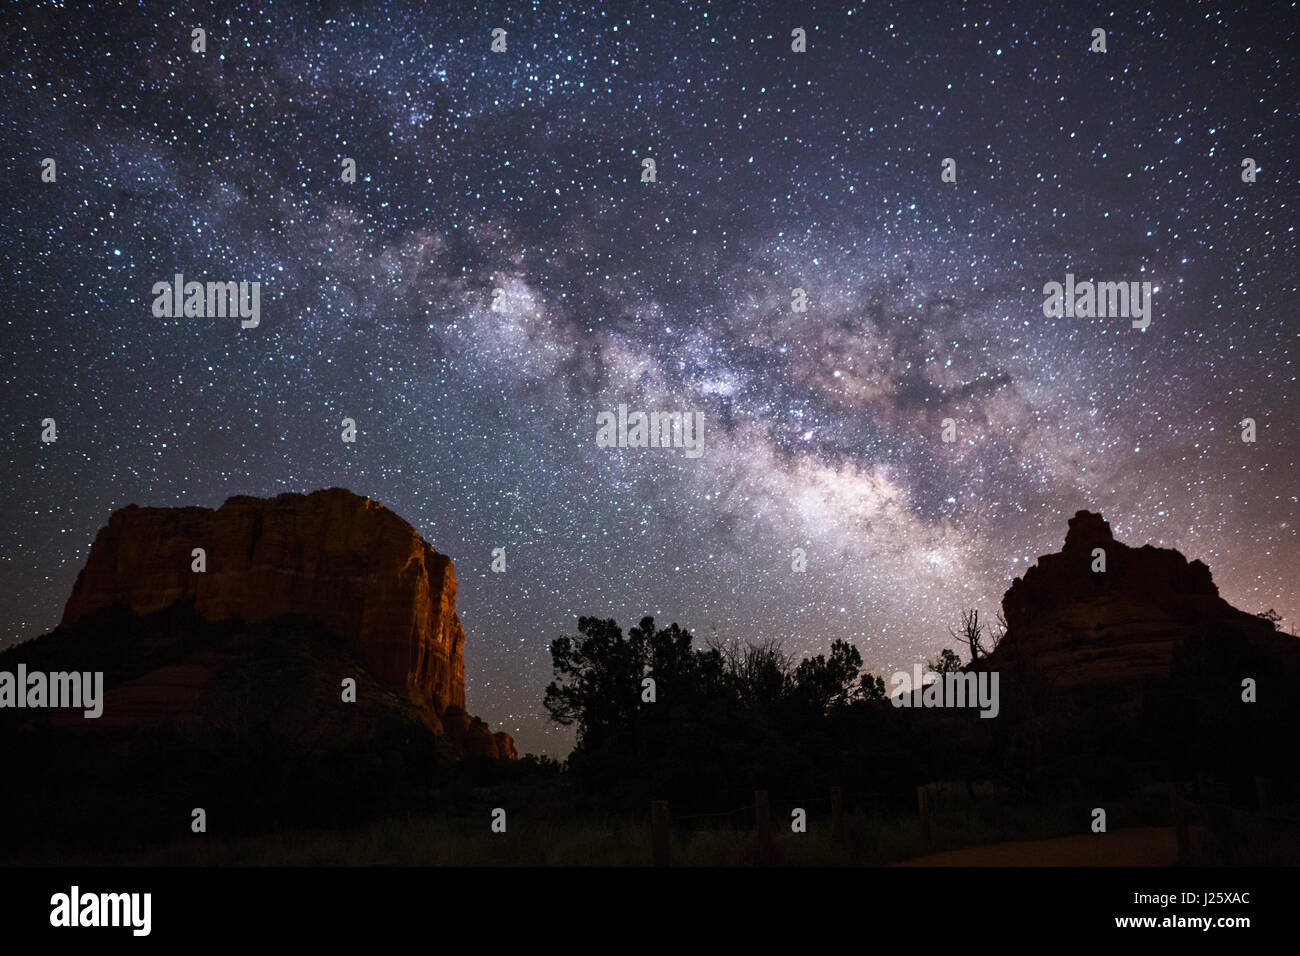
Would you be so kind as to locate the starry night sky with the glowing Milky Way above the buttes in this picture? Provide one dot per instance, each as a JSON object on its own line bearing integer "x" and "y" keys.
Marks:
{"x": 522, "y": 171}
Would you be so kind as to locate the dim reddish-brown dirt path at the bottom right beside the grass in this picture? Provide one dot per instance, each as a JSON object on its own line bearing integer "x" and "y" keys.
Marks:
{"x": 1149, "y": 846}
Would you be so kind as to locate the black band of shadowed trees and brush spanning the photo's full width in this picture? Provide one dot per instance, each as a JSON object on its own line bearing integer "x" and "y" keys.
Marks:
{"x": 274, "y": 752}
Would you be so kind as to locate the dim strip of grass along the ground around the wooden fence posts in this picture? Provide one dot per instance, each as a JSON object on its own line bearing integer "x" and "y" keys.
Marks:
{"x": 553, "y": 836}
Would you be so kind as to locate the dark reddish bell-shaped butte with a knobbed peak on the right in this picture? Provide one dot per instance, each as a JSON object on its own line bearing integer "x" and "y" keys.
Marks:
{"x": 1084, "y": 628}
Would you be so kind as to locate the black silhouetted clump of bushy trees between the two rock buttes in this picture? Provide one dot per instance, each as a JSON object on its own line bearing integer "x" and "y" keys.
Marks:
{"x": 726, "y": 720}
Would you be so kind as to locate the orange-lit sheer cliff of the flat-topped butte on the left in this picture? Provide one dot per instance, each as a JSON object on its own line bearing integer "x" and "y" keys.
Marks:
{"x": 333, "y": 557}
